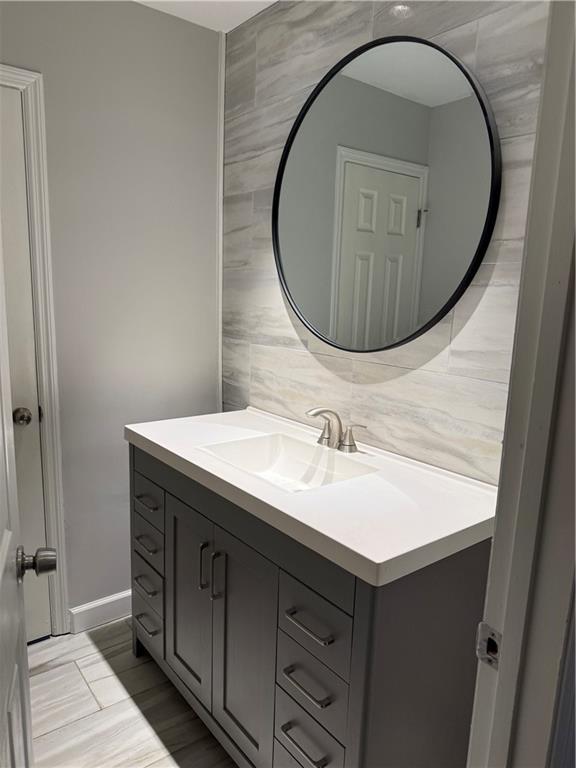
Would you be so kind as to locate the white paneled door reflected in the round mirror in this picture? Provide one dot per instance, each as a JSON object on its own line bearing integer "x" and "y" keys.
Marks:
{"x": 378, "y": 271}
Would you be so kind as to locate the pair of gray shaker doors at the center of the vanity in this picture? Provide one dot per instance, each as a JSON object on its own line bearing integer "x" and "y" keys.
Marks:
{"x": 220, "y": 626}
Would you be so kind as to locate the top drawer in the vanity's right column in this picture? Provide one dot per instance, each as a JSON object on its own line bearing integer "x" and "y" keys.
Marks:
{"x": 319, "y": 626}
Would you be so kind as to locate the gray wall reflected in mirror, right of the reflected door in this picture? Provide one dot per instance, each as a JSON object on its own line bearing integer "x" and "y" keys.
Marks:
{"x": 459, "y": 189}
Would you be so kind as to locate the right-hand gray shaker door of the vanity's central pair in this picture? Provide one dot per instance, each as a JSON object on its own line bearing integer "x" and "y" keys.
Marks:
{"x": 245, "y": 619}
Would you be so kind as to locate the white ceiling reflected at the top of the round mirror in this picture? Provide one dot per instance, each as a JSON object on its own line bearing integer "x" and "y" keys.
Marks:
{"x": 411, "y": 70}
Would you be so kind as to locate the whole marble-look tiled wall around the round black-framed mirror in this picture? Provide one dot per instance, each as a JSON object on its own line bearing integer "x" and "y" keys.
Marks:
{"x": 440, "y": 399}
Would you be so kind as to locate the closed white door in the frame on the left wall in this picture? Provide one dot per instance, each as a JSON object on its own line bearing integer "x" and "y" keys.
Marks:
{"x": 22, "y": 354}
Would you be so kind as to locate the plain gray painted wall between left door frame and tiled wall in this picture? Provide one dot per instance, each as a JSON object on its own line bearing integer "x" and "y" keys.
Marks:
{"x": 131, "y": 111}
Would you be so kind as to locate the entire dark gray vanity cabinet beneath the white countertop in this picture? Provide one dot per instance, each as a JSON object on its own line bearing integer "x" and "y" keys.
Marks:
{"x": 290, "y": 660}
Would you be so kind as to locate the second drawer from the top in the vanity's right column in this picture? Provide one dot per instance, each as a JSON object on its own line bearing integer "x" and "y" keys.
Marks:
{"x": 316, "y": 688}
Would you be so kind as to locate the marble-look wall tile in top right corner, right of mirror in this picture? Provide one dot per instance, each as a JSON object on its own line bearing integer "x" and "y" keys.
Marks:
{"x": 510, "y": 60}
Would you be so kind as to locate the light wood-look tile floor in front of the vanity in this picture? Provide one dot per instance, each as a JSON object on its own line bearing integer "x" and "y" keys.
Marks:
{"x": 95, "y": 705}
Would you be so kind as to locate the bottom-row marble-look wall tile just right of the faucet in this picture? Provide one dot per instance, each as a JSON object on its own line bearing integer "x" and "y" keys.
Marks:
{"x": 448, "y": 421}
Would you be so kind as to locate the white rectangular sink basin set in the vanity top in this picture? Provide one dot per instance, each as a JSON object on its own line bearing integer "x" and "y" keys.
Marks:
{"x": 288, "y": 463}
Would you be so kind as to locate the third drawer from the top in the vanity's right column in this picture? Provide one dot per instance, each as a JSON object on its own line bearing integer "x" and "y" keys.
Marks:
{"x": 303, "y": 737}
